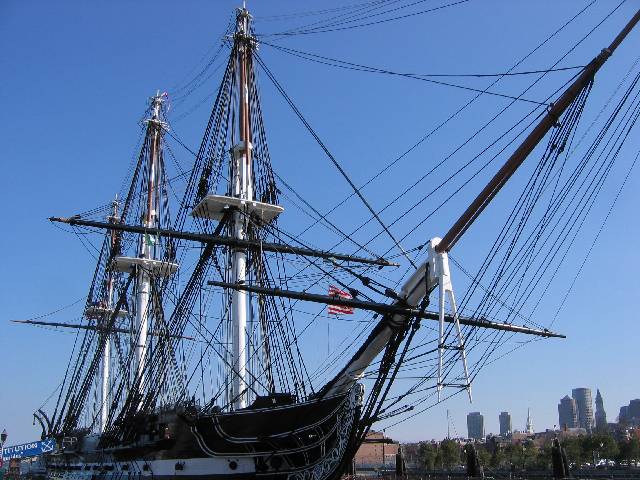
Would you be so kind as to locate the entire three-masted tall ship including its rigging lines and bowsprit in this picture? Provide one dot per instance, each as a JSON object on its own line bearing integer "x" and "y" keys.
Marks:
{"x": 187, "y": 362}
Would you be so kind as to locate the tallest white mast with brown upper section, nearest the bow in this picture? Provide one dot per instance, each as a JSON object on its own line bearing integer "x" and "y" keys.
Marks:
{"x": 242, "y": 188}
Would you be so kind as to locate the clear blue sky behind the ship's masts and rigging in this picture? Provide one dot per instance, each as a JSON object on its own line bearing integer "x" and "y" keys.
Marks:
{"x": 75, "y": 80}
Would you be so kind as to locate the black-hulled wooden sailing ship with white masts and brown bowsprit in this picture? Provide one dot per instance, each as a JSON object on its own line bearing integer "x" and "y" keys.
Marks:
{"x": 265, "y": 422}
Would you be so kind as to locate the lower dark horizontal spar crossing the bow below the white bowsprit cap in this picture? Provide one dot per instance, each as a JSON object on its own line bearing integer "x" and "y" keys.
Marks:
{"x": 385, "y": 309}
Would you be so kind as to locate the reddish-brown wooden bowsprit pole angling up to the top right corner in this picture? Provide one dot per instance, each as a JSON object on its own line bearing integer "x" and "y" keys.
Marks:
{"x": 532, "y": 140}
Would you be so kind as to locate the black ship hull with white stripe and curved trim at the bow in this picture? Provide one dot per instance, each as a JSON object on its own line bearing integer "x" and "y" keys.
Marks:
{"x": 313, "y": 440}
